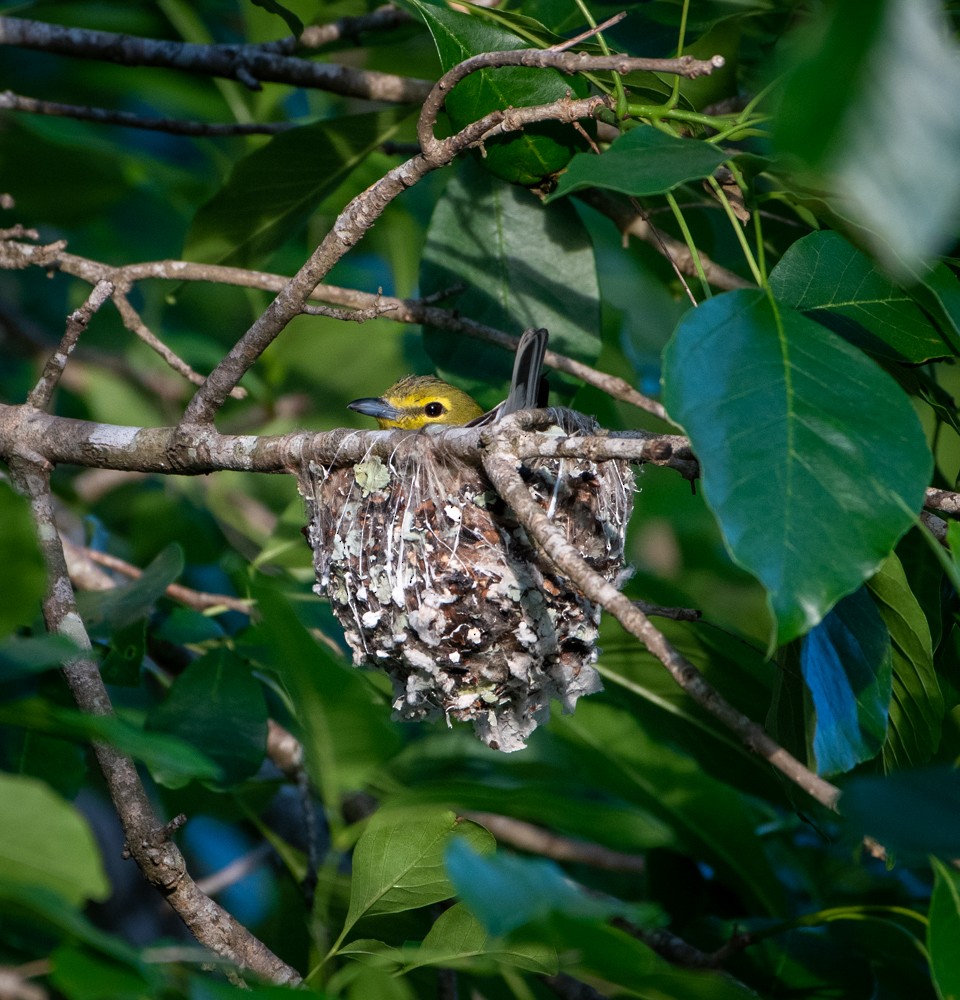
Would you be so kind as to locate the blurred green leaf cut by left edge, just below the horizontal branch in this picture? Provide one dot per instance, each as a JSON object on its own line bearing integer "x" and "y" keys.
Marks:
{"x": 23, "y": 581}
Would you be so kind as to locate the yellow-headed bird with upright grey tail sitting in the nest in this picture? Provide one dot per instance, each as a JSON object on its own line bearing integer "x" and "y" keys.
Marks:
{"x": 418, "y": 400}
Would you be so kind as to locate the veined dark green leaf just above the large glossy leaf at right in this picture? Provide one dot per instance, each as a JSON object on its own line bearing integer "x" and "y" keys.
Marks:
{"x": 825, "y": 275}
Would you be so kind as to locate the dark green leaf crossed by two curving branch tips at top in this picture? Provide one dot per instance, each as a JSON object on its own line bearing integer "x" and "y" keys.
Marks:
{"x": 539, "y": 150}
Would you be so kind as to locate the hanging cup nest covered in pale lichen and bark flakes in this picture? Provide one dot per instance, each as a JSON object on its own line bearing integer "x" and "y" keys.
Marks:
{"x": 437, "y": 584}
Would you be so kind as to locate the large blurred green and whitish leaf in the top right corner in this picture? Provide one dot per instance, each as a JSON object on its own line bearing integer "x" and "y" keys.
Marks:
{"x": 870, "y": 109}
